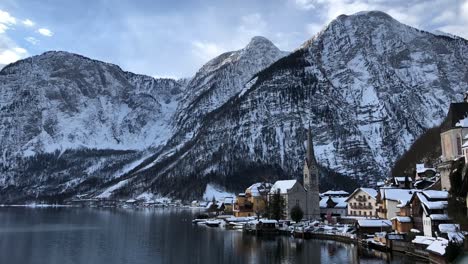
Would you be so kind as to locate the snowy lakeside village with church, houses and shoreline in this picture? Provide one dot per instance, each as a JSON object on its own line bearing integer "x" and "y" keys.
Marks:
{"x": 409, "y": 214}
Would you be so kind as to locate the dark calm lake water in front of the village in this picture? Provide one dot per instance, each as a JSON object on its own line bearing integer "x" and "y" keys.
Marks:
{"x": 114, "y": 236}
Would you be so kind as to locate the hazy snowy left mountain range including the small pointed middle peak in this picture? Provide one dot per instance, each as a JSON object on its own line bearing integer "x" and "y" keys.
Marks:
{"x": 73, "y": 124}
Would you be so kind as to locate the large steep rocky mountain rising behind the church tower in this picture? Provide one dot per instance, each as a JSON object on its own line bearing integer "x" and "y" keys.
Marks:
{"x": 368, "y": 85}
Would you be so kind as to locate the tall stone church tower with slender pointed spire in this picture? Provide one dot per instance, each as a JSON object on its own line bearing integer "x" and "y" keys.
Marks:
{"x": 311, "y": 180}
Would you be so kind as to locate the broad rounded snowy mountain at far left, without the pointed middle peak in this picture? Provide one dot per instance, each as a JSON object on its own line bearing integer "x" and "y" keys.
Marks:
{"x": 63, "y": 108}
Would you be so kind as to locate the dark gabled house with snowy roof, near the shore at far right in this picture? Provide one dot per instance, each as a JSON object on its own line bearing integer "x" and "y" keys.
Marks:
{"x": 429, "y": 209}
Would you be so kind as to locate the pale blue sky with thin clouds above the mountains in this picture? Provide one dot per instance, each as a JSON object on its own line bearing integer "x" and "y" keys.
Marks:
{"x": 175, "y": 38}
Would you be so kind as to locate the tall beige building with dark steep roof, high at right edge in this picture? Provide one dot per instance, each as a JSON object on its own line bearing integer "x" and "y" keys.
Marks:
{"x": 454, "y": 133}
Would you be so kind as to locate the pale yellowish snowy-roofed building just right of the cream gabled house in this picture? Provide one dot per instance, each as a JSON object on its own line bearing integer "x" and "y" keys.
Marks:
{"x": 389, "y": 201}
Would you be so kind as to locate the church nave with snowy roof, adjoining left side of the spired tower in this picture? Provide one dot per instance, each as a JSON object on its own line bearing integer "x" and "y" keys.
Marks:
{"x": 293, "y": 193}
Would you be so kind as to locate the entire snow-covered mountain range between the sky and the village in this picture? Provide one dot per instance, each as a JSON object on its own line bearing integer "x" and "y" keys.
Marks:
{"x": 367, "y": 84}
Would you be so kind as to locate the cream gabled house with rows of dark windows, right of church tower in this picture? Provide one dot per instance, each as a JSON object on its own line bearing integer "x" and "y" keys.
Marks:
{"x": 363, "y": 202}
